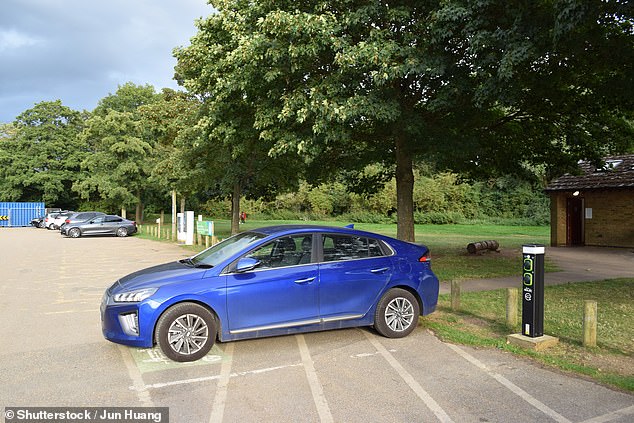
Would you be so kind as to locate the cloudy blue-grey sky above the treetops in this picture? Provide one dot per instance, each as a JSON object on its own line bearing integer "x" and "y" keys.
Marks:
{"x": 79, "y": 51}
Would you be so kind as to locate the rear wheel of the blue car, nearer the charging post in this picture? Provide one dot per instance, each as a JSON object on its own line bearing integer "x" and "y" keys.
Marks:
{"x": 396, "y": 313}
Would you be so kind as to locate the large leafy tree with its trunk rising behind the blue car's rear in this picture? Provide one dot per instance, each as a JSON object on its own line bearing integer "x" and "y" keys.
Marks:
{"x": 480, "y": 86}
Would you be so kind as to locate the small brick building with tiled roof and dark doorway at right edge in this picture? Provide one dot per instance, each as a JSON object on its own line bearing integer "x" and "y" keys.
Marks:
{"x": 595, "y": 207}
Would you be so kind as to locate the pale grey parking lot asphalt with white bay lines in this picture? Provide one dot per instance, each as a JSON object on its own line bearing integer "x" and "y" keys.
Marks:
{"x": 52, "y": 354}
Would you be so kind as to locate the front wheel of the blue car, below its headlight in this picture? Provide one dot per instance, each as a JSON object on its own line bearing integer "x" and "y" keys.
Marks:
{"x": 186, "y": 332}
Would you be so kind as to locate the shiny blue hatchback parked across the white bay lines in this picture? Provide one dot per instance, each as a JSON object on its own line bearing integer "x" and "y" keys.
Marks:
{"x": 272, "y": 281}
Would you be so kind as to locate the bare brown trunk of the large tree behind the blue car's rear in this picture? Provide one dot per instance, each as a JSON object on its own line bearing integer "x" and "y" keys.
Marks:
{"x": 404, "y": 192}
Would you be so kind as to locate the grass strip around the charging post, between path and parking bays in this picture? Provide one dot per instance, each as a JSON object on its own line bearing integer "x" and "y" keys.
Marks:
{"x": 482, "y": 322}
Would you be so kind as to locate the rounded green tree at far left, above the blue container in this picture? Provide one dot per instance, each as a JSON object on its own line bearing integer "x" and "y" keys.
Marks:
{"x": 40, "y": 155}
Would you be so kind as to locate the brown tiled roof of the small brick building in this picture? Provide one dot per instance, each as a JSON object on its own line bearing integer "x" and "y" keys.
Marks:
{"x": 617, "y": 173}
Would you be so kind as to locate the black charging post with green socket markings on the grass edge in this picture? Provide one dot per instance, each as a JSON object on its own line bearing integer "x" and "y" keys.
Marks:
{"x": 533, "y": 290}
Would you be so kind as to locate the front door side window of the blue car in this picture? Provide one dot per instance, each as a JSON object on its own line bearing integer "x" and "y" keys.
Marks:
{"x": 285, "y": 251}
